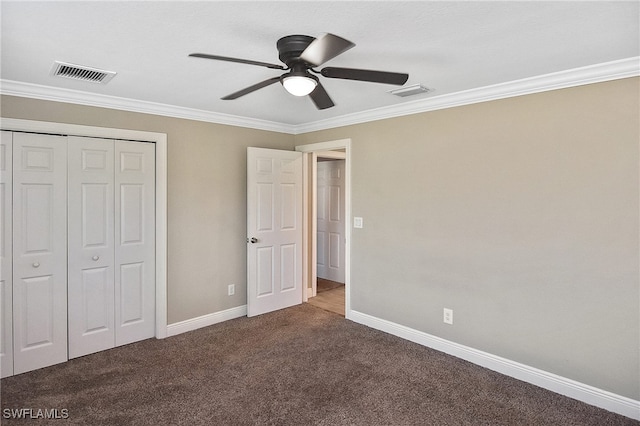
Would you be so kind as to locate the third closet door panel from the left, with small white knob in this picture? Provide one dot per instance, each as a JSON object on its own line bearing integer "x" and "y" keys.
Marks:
{"x": 91, "y": 245}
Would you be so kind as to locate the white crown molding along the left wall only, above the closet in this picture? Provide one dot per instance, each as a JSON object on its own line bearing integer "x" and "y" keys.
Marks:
{"x": 56, "y": 94}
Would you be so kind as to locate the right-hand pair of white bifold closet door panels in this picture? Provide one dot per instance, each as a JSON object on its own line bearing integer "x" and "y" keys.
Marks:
{"x": 111, "y": 243}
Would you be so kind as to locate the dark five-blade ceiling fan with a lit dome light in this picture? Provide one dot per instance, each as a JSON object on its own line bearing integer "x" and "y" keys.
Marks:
{"x": 300, "y": 54}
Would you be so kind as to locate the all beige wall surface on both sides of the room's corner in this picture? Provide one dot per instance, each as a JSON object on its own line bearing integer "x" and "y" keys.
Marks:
{"x": 520, "y": 214}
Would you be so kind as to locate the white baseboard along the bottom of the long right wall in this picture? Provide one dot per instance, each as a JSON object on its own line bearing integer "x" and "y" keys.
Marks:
{"x": 600, "y": 398}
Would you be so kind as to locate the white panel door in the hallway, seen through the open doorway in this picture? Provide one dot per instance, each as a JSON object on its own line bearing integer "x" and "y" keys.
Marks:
{"x": 331, "y": 221}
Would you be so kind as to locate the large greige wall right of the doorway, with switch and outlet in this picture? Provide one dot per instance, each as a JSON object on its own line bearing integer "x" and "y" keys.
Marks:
{"x": 521, "y": 215}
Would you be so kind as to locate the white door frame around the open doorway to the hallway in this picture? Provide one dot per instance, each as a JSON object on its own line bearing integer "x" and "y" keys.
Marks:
{"x": 311, "y": 152}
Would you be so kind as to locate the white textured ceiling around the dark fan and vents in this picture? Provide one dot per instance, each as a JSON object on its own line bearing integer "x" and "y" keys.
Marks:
{"x": 447, "y": 46}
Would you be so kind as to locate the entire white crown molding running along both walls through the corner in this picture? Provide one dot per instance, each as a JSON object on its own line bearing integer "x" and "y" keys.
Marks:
{"x": 624, "y": 68}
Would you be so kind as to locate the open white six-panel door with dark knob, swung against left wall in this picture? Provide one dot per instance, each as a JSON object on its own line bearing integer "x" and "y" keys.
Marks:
{"x": 274, "y": 230}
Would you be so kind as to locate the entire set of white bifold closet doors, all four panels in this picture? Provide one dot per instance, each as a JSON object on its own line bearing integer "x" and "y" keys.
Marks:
{"x": 77, "y": 247}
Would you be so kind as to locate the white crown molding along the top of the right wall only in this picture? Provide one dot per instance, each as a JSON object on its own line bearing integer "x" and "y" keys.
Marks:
{"x": 607, "y": 71}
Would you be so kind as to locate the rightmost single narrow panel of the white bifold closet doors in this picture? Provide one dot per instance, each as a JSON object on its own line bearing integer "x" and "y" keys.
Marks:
{"x": 134, "y": 241}
